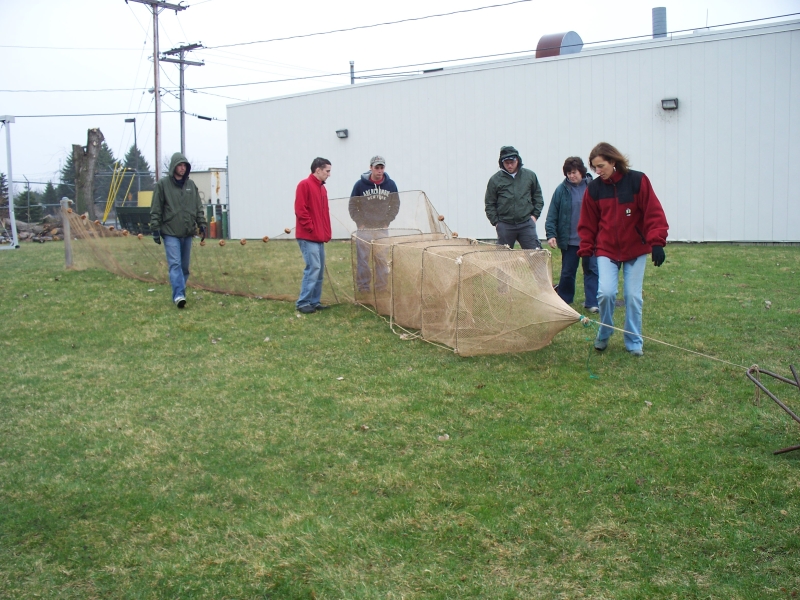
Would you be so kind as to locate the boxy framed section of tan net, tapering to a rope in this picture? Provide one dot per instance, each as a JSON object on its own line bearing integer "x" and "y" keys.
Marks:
{"x": 475, "y": 298}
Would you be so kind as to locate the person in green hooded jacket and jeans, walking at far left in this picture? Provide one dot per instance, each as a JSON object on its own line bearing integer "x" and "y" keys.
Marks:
{"x": 176, "y": 214}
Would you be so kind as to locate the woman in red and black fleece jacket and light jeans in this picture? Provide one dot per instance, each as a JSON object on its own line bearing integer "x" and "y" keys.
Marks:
{"x": 622, "y": 221}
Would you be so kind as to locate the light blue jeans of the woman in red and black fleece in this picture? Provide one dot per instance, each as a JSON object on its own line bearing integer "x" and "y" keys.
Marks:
{"x": 633, "y": 276}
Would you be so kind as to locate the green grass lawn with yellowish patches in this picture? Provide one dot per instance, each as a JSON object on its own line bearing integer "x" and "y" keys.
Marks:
{"x": 147, "y": 452}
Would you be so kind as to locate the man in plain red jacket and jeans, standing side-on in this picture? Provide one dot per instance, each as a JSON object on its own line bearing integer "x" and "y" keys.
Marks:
{"x": 313, "y": 230}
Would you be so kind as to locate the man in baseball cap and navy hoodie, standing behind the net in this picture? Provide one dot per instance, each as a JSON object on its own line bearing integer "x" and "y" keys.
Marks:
{"x": 374, "y": 204}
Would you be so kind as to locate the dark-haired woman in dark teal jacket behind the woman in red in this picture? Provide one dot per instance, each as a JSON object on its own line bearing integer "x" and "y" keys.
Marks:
{"x": 561, "y": 228}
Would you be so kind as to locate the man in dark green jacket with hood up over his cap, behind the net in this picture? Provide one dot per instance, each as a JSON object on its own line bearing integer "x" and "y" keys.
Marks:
{"x": 514, "y": 201}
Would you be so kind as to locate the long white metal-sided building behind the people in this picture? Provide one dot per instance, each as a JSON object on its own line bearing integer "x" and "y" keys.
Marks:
{"x": 723, "y": 164}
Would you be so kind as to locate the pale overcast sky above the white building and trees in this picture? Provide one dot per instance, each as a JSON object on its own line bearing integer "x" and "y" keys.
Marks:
{"x": 107, "y": 45}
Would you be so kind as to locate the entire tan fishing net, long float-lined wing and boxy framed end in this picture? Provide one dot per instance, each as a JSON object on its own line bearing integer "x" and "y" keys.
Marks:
{"x": 474, "y": 297}
